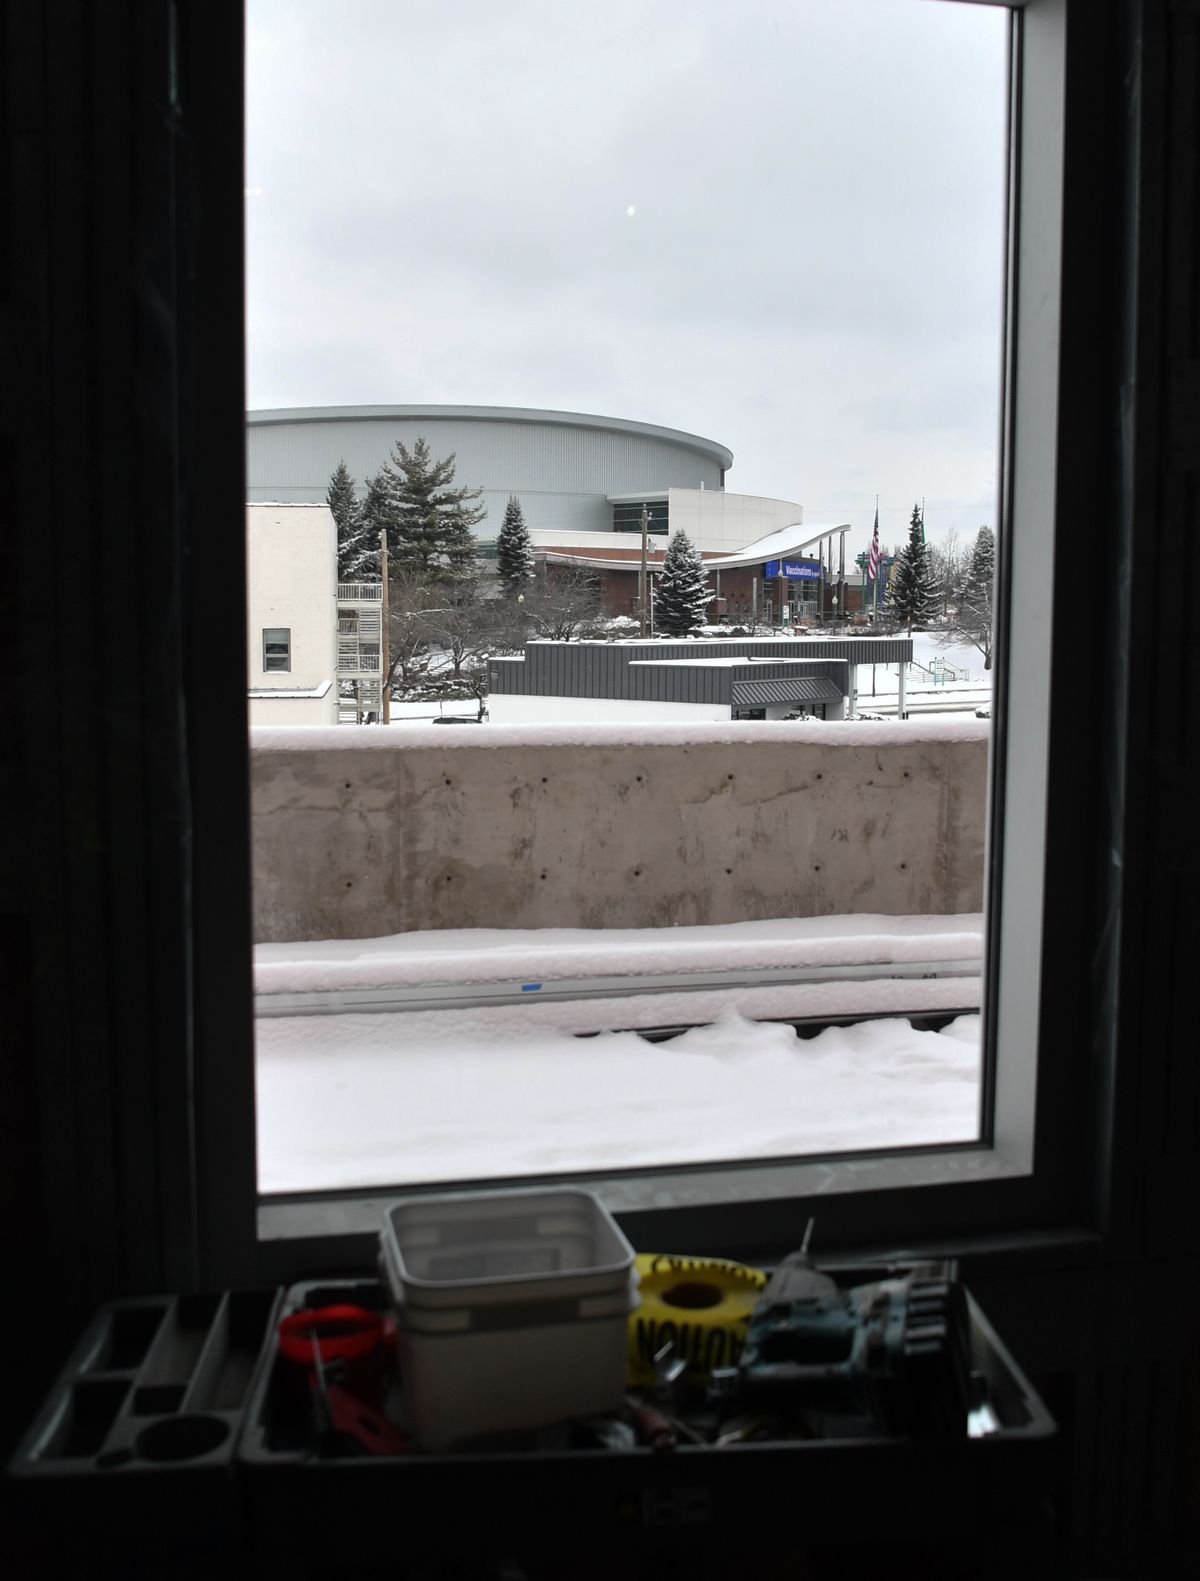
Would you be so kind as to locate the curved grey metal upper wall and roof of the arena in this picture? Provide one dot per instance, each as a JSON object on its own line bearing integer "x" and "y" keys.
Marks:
{"x": 562, "y": 466}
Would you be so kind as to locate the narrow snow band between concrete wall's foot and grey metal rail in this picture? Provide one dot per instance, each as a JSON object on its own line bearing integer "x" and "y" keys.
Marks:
{"x": 478, "y": 956}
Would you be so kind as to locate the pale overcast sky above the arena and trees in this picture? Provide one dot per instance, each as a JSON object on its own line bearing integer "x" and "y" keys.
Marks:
{"x": 777, "y": 225}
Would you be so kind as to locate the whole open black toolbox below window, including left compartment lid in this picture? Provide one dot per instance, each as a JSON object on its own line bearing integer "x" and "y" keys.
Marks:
{"x": 200, "y": 1394}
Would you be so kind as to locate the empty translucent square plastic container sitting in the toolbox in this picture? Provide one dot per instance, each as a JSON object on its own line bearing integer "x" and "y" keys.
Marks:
{"x": 511, "y": 1310}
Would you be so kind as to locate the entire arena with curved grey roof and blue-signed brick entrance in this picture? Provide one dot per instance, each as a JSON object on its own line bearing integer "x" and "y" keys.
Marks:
{"x": 584, "y": 485}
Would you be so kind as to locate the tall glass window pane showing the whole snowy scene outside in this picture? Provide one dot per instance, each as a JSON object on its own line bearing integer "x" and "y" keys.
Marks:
{"x": 733, "y": 281}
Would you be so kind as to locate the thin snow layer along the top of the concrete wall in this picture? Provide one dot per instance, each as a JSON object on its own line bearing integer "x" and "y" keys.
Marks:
{"x": 733, "y": 733}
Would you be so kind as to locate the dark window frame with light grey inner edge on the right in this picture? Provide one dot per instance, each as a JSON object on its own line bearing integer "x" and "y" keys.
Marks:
{"x": 1038, "y": 1175}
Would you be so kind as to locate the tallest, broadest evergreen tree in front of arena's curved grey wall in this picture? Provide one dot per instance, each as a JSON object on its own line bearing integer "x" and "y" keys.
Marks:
{"x": 428, "y": 519}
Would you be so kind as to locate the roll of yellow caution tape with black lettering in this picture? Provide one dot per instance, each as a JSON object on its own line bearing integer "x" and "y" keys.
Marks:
{"x": 698, "y": 1305}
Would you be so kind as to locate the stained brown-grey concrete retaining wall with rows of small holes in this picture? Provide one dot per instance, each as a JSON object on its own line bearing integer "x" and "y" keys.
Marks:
{"x": 360, "y": 842}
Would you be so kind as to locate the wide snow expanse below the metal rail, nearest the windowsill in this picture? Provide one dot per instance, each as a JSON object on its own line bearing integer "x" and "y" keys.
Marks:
{"x": 442, "y": 1096}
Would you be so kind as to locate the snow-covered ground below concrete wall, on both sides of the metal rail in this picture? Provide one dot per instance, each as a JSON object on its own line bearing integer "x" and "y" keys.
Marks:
{"x": 507, "y": 1092}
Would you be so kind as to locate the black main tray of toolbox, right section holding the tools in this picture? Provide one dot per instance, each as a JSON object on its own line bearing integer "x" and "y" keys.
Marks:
{"x": 881, "y": 1487}
